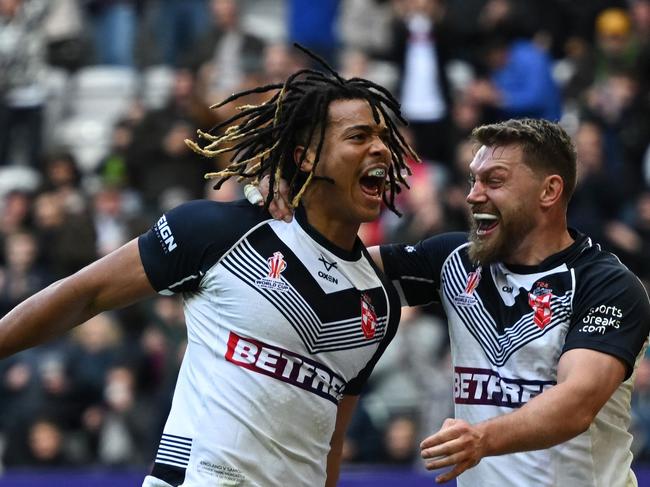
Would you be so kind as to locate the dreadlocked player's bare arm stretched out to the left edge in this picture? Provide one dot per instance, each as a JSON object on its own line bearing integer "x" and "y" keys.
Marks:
{"x": 114, "y": 281}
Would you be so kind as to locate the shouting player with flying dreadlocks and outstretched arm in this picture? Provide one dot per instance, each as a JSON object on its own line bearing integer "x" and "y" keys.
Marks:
{"x": 285, "y": 321}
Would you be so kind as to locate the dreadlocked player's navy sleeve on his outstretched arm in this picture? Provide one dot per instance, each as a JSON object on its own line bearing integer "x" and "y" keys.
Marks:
{"x": 188, "y": 240}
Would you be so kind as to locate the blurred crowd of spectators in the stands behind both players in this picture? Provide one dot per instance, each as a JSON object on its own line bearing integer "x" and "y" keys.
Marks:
{"x": 97, "y": 97}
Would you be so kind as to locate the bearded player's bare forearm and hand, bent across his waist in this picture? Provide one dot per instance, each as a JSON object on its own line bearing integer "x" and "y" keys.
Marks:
{"x": 586, "y": 380}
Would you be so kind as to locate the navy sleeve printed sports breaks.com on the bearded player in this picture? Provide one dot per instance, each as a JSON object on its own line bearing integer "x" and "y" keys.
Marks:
{"x": 611, "y": 313}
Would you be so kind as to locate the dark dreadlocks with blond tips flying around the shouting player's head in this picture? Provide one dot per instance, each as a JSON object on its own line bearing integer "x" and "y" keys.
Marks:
{"x": 261, "y": 138}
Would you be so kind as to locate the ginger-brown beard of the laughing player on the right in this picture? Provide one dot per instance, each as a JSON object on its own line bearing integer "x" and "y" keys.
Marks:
{"x": 513, "y": 226}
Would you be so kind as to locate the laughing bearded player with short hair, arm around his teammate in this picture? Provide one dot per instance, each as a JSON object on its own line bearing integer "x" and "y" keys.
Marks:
{"x": 545, "y": 327}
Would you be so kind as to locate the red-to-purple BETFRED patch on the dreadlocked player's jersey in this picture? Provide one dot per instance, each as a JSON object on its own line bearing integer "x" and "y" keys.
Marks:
{"x": 285, "y": 366}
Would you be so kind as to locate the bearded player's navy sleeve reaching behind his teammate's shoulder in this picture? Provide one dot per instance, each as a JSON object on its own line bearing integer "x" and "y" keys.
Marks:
{"x": 415, "y": 269}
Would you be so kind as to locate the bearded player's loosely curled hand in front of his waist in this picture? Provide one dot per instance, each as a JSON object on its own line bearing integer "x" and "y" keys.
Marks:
{"x": 457, "y": 444}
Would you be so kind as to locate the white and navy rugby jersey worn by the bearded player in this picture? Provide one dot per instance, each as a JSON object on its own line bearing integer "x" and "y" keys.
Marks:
{"x": 509, "y": 325}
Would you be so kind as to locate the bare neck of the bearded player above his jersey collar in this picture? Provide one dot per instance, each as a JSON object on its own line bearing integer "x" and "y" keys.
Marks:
{"x": 541, "y": 243}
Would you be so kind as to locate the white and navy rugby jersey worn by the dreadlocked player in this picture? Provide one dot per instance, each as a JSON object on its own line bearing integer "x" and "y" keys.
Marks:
{"x": 280, "y": 324}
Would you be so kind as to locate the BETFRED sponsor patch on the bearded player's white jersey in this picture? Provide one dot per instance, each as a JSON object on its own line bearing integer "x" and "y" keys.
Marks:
{"x": 487, "y": 387}
